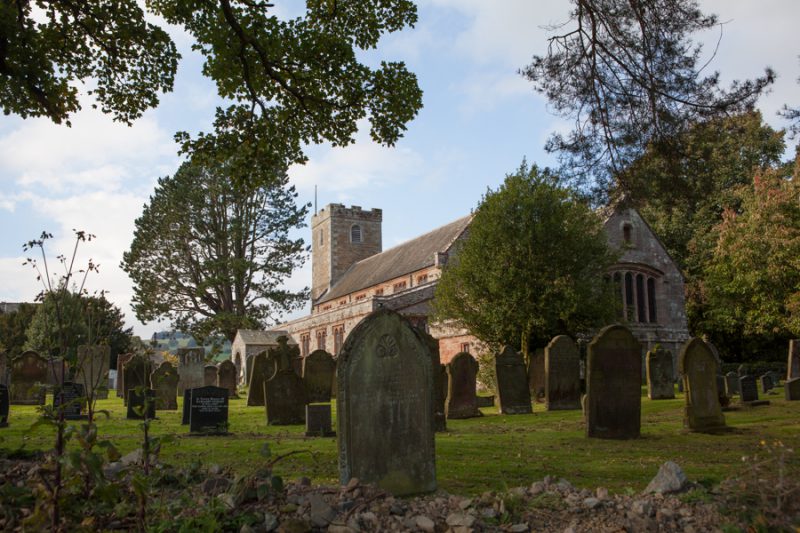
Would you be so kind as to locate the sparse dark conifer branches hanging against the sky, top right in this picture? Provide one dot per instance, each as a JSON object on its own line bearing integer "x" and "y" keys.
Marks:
{"x": 628, "y": 75}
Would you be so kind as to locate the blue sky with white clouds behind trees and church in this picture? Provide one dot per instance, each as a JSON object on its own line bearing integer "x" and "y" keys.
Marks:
{"x": 480, "y": 119}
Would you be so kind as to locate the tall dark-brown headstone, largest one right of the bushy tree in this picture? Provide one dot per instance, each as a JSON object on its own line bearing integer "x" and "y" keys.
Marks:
{"x": 613, "y": 385}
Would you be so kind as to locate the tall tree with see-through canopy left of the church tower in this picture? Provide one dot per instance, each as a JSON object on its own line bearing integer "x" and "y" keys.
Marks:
{"x": 212, "y": 249}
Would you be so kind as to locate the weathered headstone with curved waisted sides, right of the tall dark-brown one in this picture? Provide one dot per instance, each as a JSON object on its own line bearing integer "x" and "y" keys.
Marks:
{"x": 698, "y": 366}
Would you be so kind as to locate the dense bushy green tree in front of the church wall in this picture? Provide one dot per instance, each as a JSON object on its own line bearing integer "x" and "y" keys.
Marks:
{"x": 531, "y": 266}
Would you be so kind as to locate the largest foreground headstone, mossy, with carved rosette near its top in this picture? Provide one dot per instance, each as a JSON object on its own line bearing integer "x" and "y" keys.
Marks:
{"x": 384, "y": 411}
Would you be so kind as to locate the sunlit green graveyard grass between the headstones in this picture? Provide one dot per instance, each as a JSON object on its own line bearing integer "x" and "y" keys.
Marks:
{"x": 494, "y": 452}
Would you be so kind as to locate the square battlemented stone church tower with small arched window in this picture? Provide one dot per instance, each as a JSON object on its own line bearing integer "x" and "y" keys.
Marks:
{"x": 340, "y": 237}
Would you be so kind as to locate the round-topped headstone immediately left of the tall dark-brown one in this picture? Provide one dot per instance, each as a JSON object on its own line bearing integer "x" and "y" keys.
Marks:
{"x": 562, "y": 368}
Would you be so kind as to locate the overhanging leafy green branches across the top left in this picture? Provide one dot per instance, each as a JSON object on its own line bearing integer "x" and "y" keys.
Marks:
{"x": 285, "y": 82}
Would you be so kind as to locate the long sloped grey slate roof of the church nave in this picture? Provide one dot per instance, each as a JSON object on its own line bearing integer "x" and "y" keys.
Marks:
{"x": 403, "y": 259}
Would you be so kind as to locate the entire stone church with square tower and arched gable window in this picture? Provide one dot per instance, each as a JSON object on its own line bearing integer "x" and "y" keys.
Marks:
{"x": 352, "y": 276}
